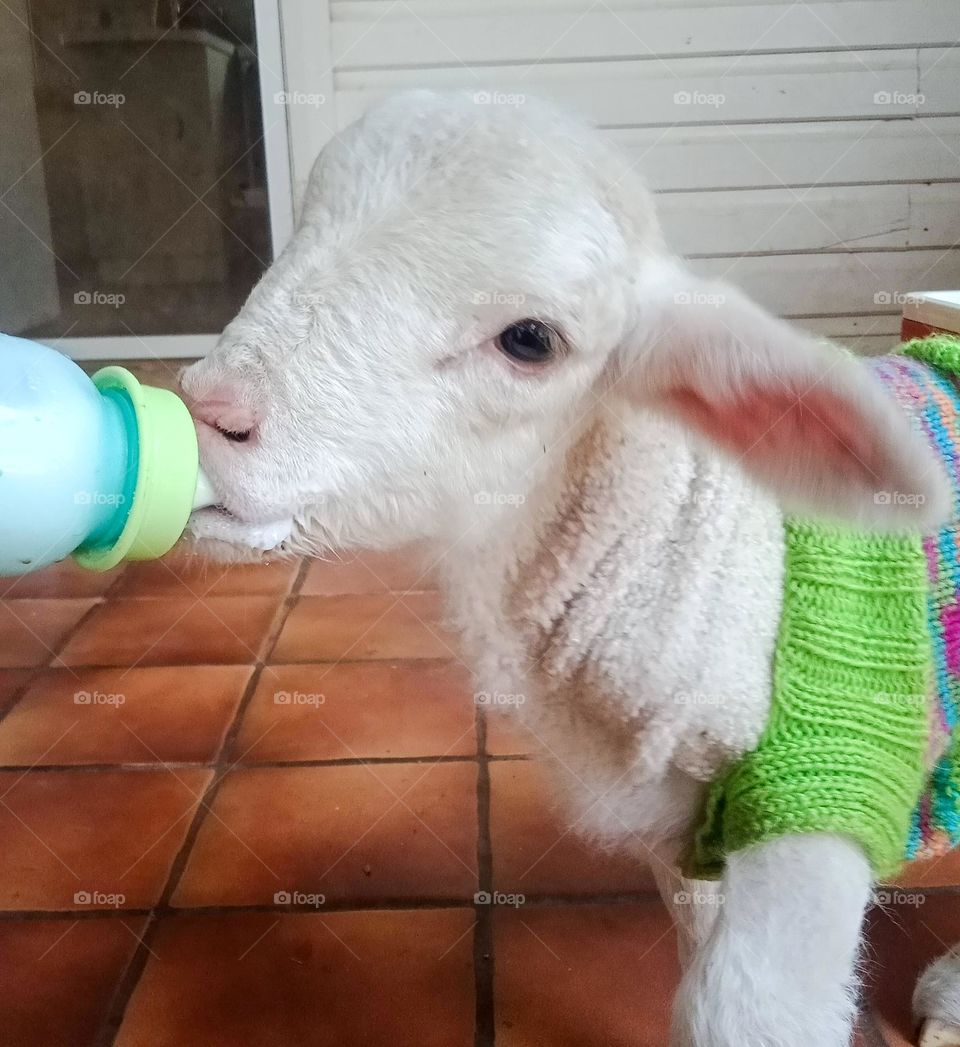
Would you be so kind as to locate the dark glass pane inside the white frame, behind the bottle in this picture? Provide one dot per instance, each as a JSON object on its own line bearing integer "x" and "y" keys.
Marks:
{"x": 132, "y": 176}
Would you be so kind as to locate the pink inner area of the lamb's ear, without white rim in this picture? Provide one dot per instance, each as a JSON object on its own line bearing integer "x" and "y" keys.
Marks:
{"x": 766, "y": 424}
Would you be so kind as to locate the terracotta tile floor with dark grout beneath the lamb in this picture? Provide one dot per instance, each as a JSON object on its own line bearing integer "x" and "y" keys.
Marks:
{"x": 261, "y": 807}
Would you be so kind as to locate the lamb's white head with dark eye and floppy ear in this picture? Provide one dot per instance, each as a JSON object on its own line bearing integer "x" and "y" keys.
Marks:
{"x": 467, "y": 282}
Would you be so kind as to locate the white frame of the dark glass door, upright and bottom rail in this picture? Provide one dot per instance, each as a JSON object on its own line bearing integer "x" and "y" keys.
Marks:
{"x": 278, "y": 127}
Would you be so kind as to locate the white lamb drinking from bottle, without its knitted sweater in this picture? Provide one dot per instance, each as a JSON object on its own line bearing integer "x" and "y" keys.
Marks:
{"x": 478, "y": 338}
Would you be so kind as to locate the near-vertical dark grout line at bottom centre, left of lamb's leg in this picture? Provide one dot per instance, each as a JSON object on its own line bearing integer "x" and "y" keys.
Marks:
{"x": 485, "y": 1016}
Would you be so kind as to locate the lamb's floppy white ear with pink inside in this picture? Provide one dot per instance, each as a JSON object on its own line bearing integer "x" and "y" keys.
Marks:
{"x": 803, "y": 417}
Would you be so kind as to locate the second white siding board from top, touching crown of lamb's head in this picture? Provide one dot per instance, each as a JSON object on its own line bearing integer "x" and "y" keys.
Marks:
{"x": 755, "y": 88}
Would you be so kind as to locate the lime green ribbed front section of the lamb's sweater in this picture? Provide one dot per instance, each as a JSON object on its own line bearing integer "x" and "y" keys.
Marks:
{"x": 844, "y": 748}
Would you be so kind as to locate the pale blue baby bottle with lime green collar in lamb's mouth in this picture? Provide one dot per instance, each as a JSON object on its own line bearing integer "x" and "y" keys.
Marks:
{"x": 104, "y": 470}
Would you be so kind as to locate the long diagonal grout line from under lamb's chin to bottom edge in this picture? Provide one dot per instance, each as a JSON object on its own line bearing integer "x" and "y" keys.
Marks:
{"x": 129, "y": 981}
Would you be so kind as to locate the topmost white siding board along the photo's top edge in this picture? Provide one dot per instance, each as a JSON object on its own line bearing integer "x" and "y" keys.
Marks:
{"x": 386, "y": 34}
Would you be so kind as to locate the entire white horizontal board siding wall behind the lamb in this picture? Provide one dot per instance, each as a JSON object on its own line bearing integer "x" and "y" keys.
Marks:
{"x": 810, "y": 153}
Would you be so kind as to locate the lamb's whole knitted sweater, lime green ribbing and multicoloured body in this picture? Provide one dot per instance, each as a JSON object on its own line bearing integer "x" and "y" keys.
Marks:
{"x": 866, "y": 700}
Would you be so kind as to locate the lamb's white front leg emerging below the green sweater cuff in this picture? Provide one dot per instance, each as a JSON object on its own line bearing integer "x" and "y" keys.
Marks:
{"x": 779, "y": 969}
